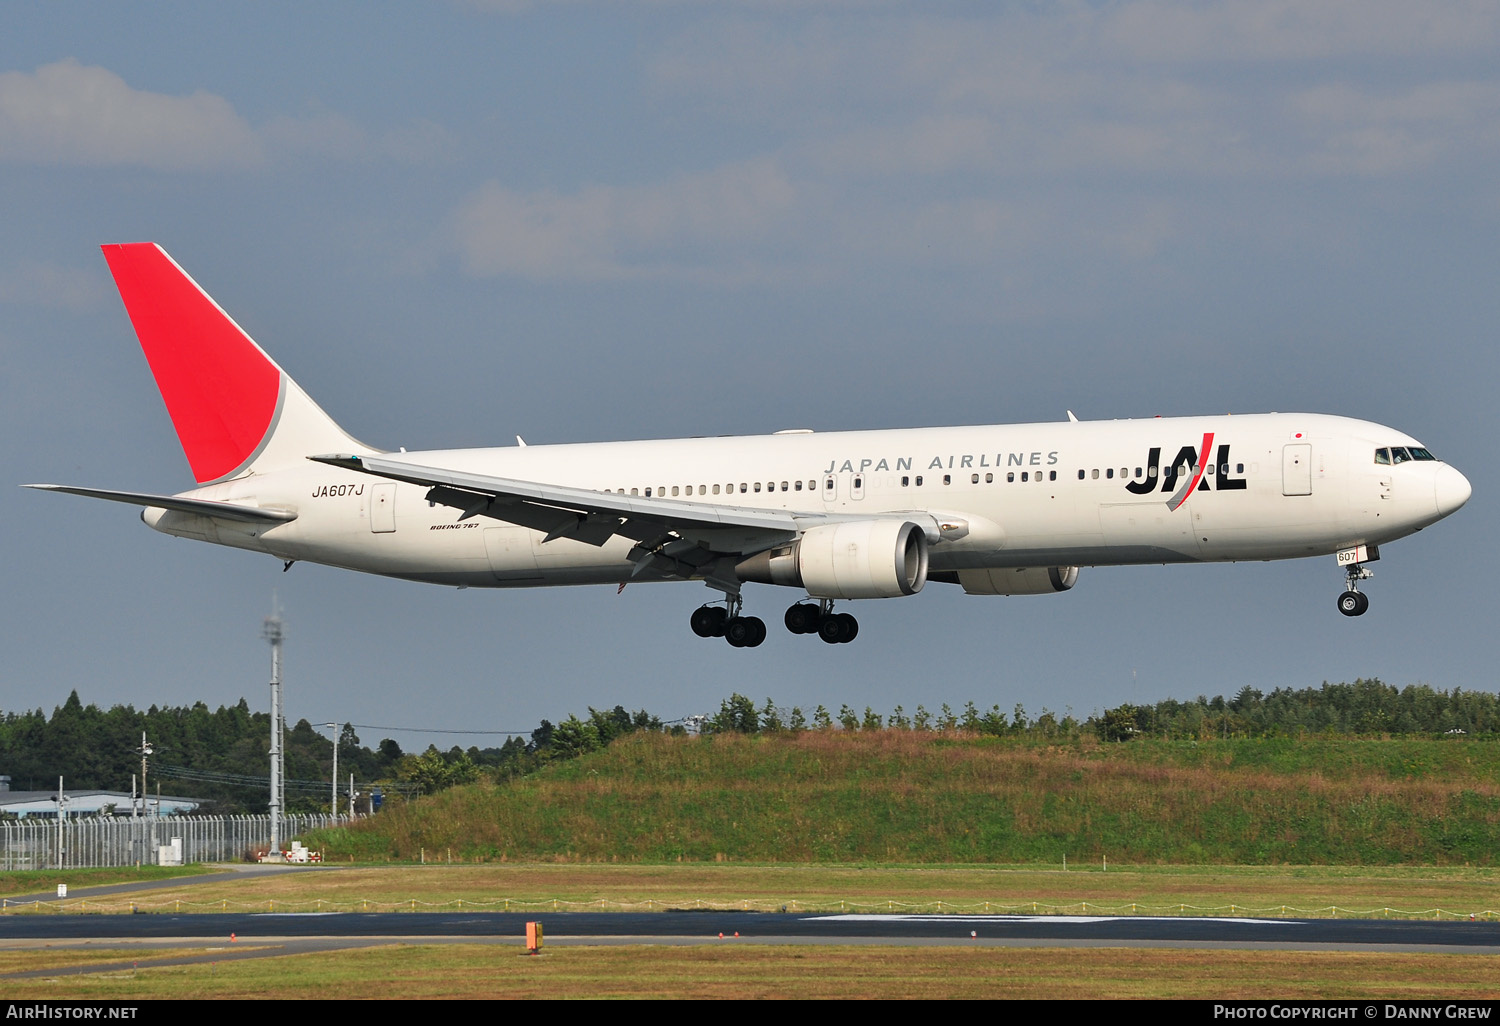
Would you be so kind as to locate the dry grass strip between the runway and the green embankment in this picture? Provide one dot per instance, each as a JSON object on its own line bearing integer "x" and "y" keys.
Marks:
{"x": 1312, "y": 890}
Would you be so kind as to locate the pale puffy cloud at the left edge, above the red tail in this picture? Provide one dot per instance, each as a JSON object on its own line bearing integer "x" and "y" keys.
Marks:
{"x": 73, "y": 115}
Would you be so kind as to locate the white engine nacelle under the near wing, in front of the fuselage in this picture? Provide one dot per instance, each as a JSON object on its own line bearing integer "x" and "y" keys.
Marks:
{"x": 857, "y": 560}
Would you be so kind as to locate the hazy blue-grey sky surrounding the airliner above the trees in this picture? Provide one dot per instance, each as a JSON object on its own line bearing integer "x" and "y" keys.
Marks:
{"x": 457, "y": 223}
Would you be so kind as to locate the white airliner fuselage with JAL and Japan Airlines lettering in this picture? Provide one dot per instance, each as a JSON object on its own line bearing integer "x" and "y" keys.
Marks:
{"x": 1022, "y": 496}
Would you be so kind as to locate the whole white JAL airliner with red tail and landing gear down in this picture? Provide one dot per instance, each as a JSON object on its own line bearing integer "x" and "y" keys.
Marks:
{"x": 998, "y": 511}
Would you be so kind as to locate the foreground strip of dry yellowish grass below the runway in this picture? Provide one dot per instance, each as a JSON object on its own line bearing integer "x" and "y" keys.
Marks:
{"x": 754, "y": 971}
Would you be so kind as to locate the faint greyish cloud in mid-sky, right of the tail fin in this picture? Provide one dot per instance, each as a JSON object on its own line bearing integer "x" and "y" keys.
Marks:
{"x": 628, "y": 232}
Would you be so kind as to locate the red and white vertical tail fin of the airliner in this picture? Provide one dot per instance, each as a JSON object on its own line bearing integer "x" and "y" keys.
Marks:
{"x": 235, "y": 410}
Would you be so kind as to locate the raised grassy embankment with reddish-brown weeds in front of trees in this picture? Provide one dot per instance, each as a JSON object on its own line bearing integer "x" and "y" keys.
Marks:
{"x": 923, "y": 799}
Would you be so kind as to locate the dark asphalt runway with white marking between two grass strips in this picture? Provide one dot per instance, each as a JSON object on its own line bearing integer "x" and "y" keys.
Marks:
{"x": 361, "y": 929}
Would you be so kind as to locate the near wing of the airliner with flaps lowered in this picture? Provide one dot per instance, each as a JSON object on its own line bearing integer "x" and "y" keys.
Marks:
{"x": 673, "y": 536}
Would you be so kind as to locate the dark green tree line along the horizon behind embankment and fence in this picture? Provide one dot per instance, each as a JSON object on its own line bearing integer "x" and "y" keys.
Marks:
{"x": 223, "y": 755}
